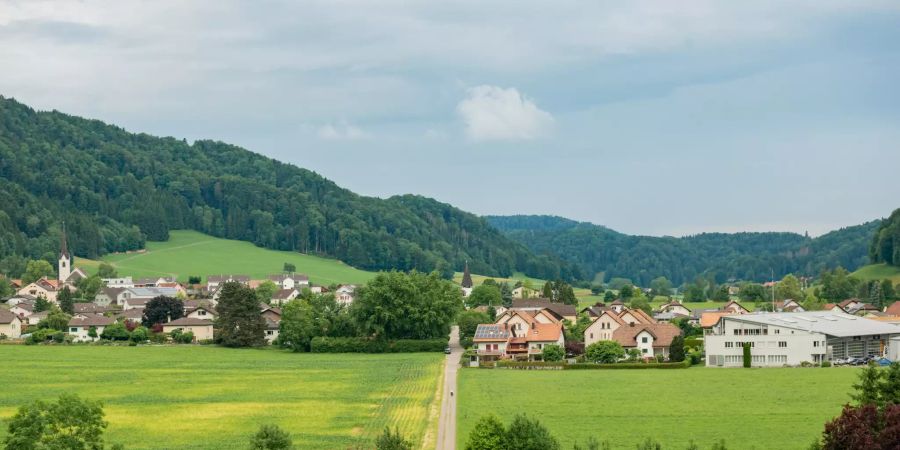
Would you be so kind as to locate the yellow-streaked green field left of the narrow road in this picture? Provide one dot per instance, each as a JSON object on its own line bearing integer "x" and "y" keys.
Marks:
{"x": 198, "y": 397}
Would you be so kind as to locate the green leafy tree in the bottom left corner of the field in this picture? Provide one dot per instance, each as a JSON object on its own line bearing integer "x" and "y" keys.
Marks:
{"x": 70, "y": 423}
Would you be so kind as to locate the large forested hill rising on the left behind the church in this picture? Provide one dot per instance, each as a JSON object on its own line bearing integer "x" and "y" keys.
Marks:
{"x": 116, "y": 189}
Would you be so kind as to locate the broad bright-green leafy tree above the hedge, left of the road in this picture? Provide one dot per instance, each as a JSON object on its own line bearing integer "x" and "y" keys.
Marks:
{"x": 397, "y": 305}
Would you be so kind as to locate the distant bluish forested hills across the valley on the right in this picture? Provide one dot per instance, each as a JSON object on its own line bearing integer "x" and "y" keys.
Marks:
{"x": 745, "y": 256}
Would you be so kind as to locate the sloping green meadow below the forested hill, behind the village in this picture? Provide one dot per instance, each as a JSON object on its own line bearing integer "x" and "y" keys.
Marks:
{"x": 189, "y": 253}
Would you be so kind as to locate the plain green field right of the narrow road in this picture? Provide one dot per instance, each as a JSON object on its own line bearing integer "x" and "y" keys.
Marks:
{"x": 749, "y": 408}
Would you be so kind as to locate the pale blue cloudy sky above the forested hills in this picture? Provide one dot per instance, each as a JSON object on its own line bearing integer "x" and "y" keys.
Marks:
{"x": 648, "y": 117}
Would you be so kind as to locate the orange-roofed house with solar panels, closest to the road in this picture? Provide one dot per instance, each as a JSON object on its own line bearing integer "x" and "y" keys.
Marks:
{"x": 509, "y": 341}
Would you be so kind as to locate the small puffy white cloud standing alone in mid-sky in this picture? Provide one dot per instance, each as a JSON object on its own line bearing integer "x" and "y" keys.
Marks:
{"x": 495, "y": 113}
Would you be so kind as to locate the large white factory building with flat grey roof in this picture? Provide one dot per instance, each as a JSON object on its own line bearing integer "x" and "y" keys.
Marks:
{"x": 777, "y": 339}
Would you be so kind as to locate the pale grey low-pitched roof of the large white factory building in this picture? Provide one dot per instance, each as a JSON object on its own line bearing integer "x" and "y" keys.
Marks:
{"x": 831, "y": 323}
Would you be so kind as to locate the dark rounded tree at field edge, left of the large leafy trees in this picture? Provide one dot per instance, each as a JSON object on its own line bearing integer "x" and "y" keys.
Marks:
{"x": 240, "y": 323}
